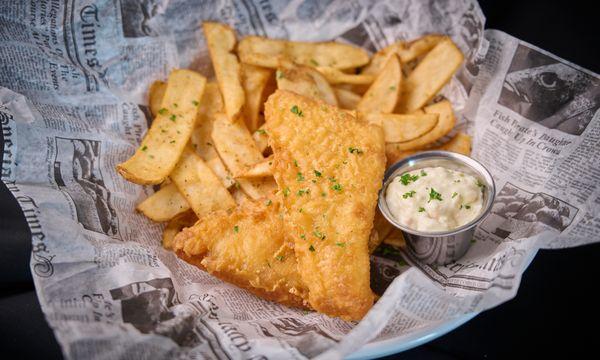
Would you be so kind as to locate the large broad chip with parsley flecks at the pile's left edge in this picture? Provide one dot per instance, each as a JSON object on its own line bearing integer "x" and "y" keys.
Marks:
{"x": 160, "y": 149}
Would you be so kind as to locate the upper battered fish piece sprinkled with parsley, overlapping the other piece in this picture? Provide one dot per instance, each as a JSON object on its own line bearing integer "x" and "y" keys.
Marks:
{"x": 329, "y": 167}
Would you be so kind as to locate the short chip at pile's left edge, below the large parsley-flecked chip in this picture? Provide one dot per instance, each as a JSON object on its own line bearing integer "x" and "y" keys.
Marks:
{"x": 164, "y": 204}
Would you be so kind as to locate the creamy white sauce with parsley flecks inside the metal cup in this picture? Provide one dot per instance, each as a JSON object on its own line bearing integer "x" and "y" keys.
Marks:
{"x": 434, "y": 199}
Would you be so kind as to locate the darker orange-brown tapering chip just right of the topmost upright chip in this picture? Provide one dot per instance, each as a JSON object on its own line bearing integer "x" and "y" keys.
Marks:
{"x": 254, "y": 81}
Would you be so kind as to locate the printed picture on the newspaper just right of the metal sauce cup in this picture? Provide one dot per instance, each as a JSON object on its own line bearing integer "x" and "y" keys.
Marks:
{"x": 516, "y": 208}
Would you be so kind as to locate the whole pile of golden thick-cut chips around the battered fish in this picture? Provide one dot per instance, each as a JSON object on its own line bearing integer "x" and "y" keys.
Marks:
{"x": 210, "y": 149}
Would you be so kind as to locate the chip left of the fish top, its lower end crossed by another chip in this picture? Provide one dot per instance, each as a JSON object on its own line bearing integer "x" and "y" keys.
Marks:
{"x": 238, "y": 150}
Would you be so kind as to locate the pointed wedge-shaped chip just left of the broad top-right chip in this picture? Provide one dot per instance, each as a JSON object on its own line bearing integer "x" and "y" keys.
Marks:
{"x": 384, "y": 93}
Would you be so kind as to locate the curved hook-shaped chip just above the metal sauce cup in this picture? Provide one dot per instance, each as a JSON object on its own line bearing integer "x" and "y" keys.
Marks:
{"x": 446, "y": 122}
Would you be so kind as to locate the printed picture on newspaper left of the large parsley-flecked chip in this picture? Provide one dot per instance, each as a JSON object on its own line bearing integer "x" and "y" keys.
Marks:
{"x": 77, "y": 174}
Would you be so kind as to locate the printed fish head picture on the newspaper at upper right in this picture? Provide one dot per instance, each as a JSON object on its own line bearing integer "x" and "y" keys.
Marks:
{"x": 549, "y": 92}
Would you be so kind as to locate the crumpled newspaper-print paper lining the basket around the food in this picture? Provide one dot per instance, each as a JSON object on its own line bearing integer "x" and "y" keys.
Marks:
{"x": 72, "y": 106}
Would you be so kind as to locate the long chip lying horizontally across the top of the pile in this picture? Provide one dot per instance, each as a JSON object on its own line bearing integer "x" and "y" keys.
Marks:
{"x": 265, "y": 52}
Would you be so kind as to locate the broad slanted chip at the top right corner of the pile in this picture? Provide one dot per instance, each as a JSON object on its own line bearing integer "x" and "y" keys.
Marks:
{"x": 430, "y": 75}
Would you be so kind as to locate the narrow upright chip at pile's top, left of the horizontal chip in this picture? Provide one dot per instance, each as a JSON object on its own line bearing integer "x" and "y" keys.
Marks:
{"x": 220, "y": 40}
